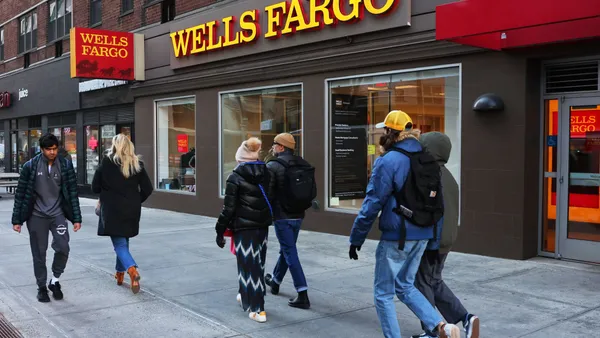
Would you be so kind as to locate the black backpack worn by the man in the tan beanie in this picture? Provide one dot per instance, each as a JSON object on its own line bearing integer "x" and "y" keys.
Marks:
{"x": 299, "y": 184}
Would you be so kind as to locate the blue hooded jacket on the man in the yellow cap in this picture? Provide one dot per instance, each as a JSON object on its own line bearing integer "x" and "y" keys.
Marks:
{"x": 389, "y": 173}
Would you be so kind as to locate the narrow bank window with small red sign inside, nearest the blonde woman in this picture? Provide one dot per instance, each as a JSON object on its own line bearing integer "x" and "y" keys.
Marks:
{"x": 175, "y": 145}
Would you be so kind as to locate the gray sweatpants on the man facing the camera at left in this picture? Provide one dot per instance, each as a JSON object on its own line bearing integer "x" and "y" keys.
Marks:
{"x": 38, "y": 228}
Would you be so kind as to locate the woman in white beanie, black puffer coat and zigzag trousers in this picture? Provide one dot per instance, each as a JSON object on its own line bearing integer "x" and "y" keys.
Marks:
{"x": 247, "y": 212}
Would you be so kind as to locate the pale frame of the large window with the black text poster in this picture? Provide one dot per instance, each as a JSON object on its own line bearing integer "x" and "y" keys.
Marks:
{"x": 327, "y": 111}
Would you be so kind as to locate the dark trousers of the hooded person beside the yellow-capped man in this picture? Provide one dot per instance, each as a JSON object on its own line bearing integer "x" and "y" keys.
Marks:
{"x": 429, "y": 281}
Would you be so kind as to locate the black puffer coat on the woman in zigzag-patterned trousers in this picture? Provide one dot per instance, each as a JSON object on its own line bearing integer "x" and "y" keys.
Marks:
{"x": 245, "y": 206}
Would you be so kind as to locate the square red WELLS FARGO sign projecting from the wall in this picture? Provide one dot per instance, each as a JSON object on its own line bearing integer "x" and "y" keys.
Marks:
{"x": 102, "y": 54}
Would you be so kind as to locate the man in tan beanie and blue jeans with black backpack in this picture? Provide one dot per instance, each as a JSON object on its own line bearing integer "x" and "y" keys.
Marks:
{"x": 294, "y": 188}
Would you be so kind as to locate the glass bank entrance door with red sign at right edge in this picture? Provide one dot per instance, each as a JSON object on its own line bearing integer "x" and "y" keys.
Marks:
{"x": 579, "y": 180}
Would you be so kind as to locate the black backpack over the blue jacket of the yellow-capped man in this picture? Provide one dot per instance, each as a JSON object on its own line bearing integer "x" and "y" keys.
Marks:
{"x": 420, "y": 200}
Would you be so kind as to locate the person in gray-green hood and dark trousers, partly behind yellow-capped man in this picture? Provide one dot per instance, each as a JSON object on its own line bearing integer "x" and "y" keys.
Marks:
{"x": 429, "y": 277}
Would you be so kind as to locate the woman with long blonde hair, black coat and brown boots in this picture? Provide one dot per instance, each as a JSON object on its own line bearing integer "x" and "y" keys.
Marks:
{"x": 123, "y": 185}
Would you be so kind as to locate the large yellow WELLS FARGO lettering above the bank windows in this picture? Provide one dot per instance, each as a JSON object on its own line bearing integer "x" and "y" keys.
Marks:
{"x": 283, "y": 18}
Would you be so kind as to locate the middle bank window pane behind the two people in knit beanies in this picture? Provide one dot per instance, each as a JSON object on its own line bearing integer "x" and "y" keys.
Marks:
{"x": 261, "y": 113}
